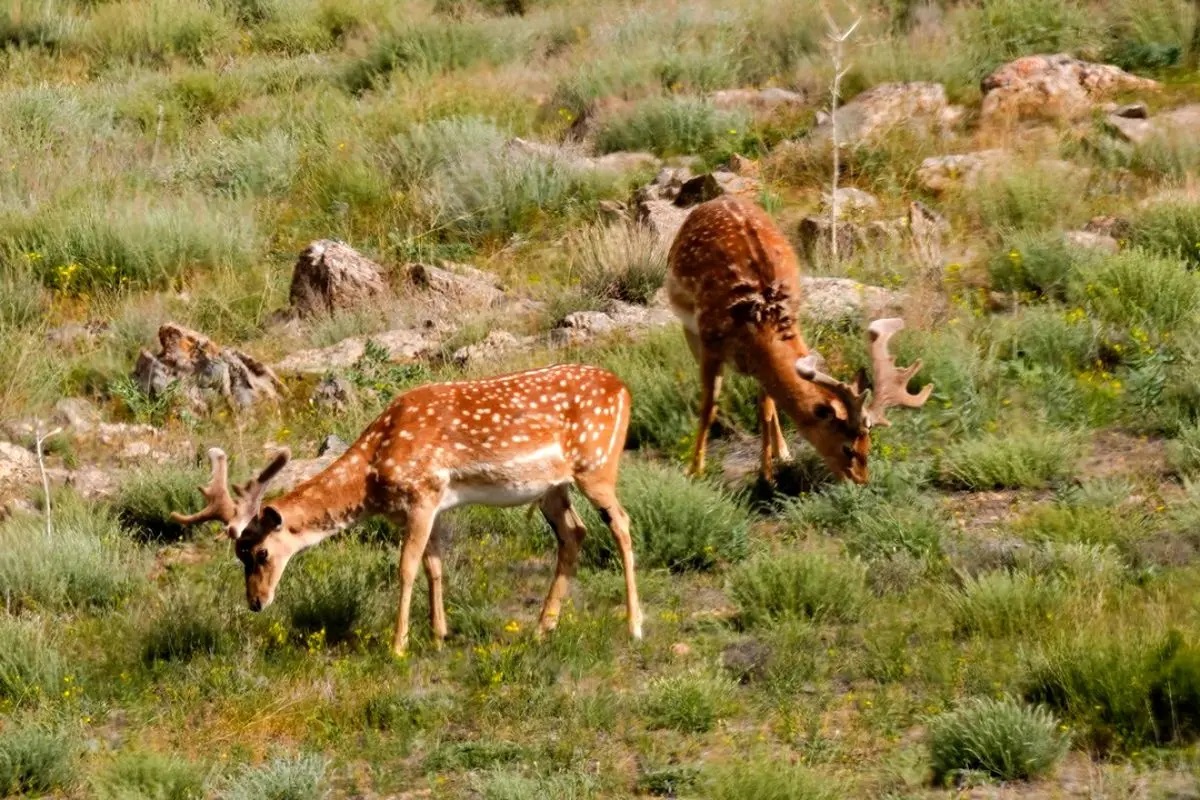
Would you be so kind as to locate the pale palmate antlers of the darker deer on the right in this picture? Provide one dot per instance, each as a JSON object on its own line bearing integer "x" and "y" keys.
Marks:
{"x": 866, "y": 407}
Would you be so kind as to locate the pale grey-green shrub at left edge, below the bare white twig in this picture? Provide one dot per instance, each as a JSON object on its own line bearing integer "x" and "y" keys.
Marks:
{"x": 88, "y": 562}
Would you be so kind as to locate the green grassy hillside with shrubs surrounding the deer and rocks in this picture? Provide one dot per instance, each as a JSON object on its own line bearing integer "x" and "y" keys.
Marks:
{"x": 1012, "y": 599}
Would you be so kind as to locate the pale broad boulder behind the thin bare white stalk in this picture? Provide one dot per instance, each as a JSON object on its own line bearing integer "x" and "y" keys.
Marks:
{"x": 920, "y": 107}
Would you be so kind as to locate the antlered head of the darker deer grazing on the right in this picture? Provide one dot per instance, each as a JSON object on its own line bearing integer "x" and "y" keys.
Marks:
{"x": 843, "y": 425}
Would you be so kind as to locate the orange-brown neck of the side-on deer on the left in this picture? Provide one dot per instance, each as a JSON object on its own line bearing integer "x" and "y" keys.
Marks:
{"x": 327, "y": 503}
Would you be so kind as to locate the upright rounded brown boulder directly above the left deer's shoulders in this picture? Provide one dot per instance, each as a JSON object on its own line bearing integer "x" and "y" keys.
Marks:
{"x": 332, "y": 276}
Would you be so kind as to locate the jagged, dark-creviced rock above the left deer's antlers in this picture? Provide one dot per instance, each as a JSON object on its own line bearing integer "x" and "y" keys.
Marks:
{"x": 205, "y": 371}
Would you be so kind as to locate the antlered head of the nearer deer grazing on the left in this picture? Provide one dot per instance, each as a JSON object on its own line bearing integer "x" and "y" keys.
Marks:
{"x": 257, "y": 533}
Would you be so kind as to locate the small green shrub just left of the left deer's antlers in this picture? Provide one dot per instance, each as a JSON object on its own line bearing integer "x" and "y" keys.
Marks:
{"x": 146, "y": 500}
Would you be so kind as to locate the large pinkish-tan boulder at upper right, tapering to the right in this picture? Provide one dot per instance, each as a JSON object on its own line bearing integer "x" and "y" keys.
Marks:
{"x": 1055, "y": 87}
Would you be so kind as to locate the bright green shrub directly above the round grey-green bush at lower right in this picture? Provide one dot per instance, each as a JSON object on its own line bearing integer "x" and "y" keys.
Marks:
{"x": 1004, "y": 604}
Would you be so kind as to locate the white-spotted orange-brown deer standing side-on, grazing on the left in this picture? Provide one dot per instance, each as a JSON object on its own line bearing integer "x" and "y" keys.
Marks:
{"x": 502, "y": 442}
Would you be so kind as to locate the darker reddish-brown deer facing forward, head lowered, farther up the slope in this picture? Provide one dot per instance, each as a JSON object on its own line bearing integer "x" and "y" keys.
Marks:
{"x": 734, "y": 282}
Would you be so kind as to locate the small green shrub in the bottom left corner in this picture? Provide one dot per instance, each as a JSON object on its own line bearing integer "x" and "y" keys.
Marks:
{"x": 35, "y": 760}
